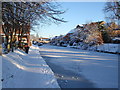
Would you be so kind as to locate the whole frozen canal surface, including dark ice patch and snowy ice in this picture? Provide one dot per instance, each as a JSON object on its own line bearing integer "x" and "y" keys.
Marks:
{"x": 75, "y": 68}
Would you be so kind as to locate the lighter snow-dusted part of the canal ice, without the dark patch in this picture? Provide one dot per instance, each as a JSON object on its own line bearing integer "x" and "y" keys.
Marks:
{"x": 99, "y": 68}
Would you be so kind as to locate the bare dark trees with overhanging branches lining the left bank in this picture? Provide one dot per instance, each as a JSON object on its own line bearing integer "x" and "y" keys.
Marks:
{"x": 20, "y": 17}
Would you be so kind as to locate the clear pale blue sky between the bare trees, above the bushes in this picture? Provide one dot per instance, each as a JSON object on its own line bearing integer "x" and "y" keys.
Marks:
{"x": 77, "y": 13}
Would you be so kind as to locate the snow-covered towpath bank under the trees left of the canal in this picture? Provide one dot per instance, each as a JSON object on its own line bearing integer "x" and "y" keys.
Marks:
{"x": 21, "y": 70}
